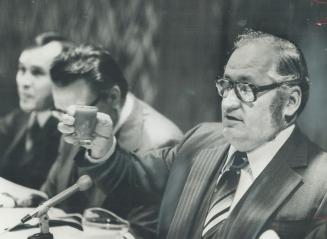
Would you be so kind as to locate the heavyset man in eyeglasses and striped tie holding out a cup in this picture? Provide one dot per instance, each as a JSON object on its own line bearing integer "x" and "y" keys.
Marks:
{"x": 253, "y": 176}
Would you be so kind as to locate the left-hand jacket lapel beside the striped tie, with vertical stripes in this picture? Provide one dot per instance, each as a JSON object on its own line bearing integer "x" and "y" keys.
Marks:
{"x": 204, "y": 165}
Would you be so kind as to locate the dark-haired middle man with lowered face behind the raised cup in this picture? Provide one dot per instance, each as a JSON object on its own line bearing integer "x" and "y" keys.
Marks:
{"x": 87, "y": 75}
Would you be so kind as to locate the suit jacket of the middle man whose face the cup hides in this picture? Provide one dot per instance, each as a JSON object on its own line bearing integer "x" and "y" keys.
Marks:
{"x": 144, "y": 129}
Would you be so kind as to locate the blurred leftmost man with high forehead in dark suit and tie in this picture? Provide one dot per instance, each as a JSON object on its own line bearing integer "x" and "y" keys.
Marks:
{"x": 28, "y": 136}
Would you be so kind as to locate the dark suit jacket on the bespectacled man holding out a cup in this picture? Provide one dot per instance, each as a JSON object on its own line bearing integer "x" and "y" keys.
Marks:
{"x": 289, "y": 196}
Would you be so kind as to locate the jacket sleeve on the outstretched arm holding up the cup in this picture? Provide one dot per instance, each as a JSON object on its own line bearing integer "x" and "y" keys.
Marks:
{"x": 142, "y": 175}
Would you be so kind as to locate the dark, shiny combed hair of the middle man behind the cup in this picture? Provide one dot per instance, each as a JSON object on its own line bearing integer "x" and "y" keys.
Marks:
{"x": 92, "y": 64}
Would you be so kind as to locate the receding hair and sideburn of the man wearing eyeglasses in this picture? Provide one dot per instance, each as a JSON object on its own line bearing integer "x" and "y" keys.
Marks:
{"x": 290, "y": 59}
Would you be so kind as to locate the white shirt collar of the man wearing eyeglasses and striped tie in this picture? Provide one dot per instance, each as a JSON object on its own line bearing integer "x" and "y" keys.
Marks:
{"x": 261, "y": 156}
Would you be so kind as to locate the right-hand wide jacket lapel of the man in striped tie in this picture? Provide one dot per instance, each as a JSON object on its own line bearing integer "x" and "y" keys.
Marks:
{"x": 268, "y": 192}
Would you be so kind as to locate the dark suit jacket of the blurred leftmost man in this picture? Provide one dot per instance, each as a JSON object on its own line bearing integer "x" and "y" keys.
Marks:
{"x": 32, "y": 173}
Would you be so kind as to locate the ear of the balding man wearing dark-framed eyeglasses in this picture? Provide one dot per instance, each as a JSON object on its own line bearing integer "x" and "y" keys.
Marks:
{"x": 293, "y": 101}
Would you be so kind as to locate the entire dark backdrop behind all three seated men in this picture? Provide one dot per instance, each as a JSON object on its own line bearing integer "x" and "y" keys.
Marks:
{"x": 171, "y": 50}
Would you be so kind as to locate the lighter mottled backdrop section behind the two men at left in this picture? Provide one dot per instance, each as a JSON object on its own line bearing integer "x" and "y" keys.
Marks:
{"x": 127, "y": 28}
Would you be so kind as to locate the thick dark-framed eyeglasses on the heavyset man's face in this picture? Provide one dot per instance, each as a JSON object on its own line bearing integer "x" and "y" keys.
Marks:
{"x": 247, "y": 92}
